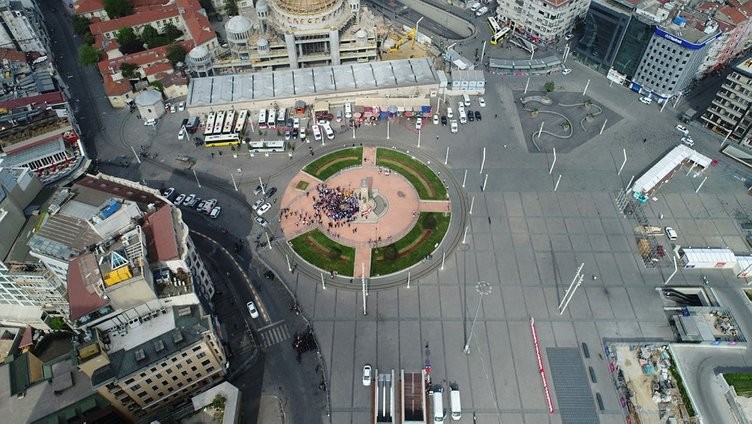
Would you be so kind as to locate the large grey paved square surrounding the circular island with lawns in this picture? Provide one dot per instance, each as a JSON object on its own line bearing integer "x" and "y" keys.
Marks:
{"x": 522, "y": 237}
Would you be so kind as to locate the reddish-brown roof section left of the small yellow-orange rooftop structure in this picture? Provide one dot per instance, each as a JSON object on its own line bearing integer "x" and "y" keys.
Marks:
{"x": 83, "y": 286}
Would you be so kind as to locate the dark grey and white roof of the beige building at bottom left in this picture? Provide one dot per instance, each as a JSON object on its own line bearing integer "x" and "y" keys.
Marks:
{"x": 150, "y": 341}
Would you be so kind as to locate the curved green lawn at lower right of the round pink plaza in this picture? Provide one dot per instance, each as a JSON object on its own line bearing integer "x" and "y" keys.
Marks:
{"x": 412, "y": 248}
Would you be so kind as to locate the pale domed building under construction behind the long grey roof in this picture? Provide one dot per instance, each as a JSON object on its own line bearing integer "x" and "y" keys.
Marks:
{"x": 289, "y": 34}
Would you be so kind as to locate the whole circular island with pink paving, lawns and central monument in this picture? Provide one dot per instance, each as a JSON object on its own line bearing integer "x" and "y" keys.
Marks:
{"x": 365, "y": 212}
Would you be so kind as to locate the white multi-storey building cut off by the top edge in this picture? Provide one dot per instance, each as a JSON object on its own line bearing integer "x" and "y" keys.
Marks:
{"x": 542, "y": 21}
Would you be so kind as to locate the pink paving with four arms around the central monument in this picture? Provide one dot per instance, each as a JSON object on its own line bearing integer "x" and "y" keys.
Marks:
{"x": 403, "y": 207}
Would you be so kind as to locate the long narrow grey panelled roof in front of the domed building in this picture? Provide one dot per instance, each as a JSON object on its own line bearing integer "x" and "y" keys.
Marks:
{"x": 219, "y": 90}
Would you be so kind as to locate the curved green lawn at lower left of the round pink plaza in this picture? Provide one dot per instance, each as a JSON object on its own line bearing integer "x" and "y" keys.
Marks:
{"x": 321, "y": 251}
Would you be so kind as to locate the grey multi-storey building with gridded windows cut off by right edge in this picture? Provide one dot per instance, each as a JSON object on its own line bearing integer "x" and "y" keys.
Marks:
{"x": 730, "y": 113}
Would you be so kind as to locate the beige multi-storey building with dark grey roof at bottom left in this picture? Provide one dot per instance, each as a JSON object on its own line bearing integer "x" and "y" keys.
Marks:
{"x": 155, "y": 361}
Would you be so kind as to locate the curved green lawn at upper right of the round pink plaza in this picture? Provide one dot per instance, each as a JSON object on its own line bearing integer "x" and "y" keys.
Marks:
{"x": 426, "y": 182}
